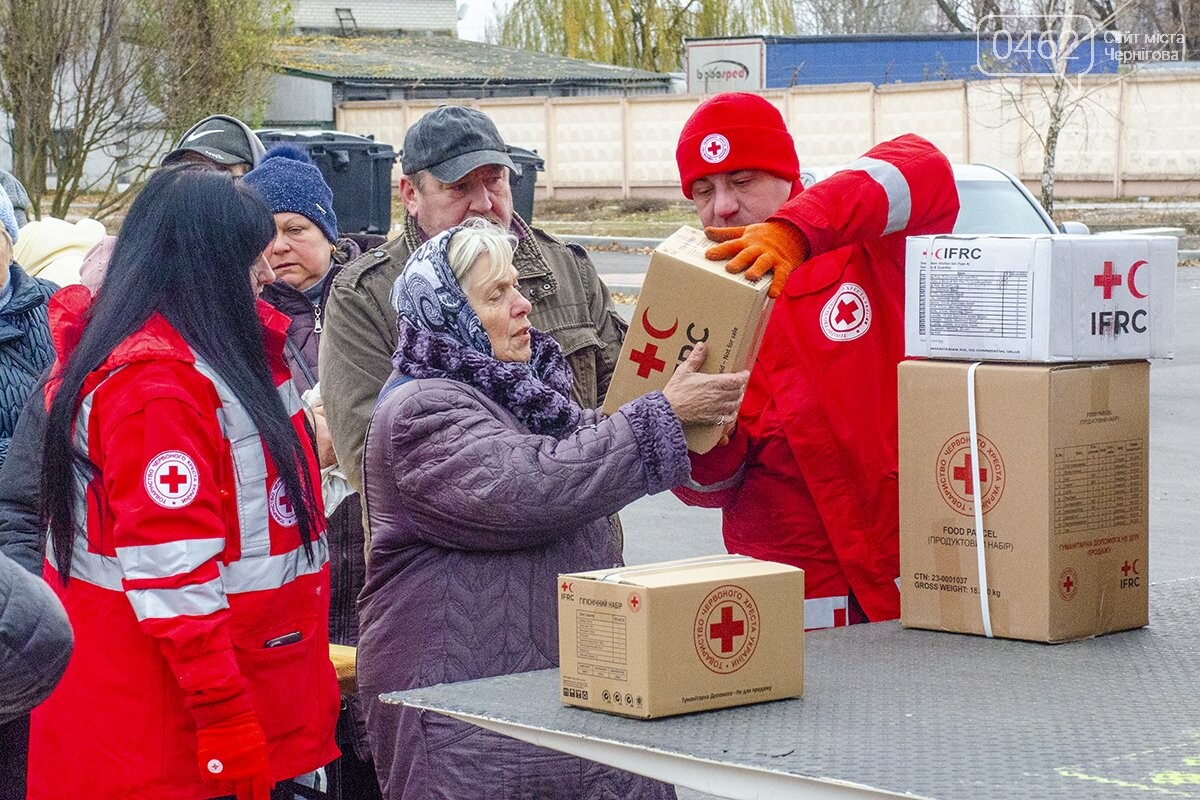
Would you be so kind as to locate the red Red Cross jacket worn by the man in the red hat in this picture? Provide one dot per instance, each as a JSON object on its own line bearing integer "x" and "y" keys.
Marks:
{"x": 811, "y": 474}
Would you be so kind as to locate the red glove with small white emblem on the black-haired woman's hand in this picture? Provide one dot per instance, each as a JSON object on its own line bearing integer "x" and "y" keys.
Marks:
{"x": 235, "y": 751}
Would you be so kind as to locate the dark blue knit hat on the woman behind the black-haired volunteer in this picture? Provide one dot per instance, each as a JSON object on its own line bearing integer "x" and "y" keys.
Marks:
{"x": 290, "y": 182}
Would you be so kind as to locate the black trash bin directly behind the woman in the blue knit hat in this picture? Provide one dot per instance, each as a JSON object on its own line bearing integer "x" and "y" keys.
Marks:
{"x": 358, "y": 170}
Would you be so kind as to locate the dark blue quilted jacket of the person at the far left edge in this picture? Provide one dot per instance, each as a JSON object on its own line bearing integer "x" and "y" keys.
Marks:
{"x": 26, "y": 347}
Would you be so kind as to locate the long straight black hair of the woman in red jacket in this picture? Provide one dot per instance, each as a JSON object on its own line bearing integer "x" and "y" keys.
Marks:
{"x": 185, "y": 251}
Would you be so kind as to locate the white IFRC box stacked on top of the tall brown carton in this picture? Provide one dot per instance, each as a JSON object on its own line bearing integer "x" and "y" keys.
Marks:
{"x": 1048, "y": 298}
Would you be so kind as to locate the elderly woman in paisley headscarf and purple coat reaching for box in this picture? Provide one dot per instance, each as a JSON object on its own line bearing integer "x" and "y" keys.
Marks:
{"x": 484, "y": 482}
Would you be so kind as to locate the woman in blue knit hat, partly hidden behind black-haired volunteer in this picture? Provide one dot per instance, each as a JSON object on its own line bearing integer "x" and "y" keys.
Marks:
{"x": 305, "y": 256}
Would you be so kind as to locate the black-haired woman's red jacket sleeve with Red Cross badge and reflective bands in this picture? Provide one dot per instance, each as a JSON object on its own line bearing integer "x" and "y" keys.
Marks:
{"x": 163, "y": 480}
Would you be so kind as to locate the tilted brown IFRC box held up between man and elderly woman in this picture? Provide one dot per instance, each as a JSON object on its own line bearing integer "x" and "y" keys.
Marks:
{"x": 688, "y": 299}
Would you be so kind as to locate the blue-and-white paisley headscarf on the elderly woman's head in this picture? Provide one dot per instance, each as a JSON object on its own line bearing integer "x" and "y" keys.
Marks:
{"x": 428, "y": 296}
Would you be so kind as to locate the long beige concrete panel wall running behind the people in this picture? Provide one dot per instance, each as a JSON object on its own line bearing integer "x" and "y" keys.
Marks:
{"x": 1127, "y": 139}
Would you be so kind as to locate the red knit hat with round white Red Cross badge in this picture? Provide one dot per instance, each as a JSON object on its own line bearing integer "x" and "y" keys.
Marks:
{"x": 735, "y": 131}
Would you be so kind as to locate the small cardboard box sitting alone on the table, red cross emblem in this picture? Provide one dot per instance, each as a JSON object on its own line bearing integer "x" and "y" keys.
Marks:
{"x": 668, "y": 639}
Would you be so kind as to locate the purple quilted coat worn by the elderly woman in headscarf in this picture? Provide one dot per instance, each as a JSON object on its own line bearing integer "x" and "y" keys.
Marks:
{"x": 473, "y": 518}
